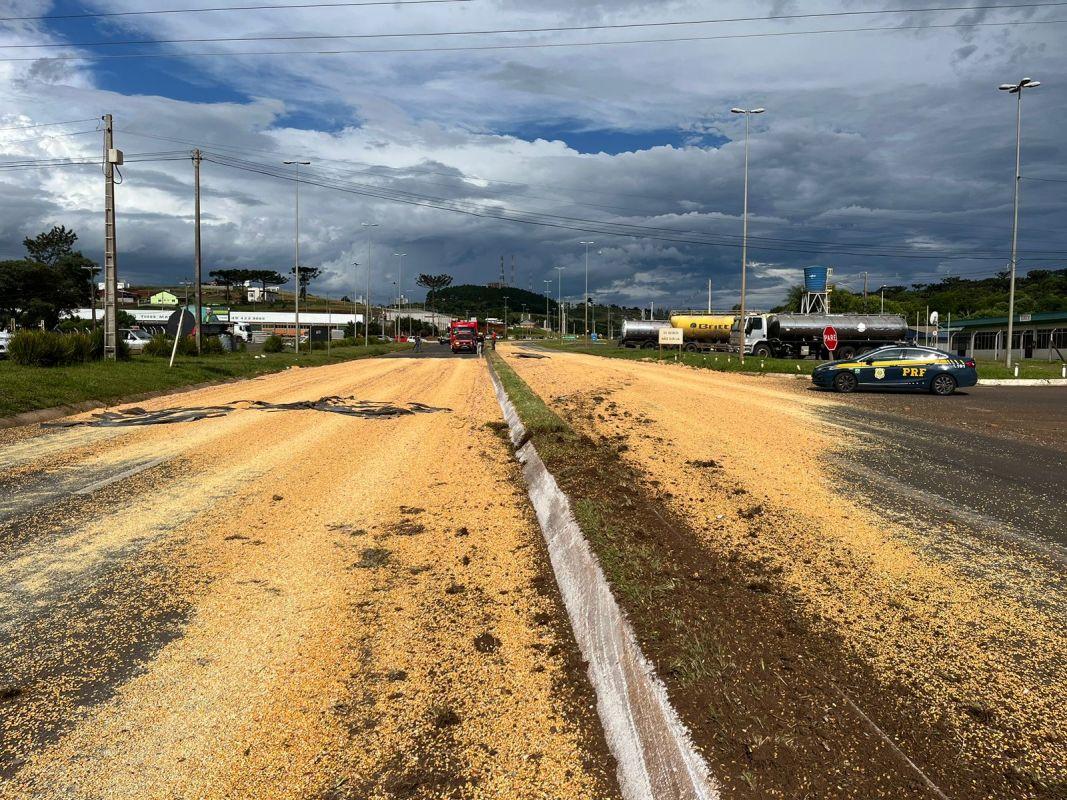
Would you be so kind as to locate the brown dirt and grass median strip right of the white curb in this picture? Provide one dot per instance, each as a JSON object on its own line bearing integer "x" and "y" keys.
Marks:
{"x": 757, "y": 683}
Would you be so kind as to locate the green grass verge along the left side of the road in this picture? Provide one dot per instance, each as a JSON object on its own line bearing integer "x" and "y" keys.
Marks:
{"x": 29, "y": 389}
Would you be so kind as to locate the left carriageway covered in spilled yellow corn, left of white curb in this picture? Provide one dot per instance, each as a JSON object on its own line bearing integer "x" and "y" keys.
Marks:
{"x": 288, "y": 605}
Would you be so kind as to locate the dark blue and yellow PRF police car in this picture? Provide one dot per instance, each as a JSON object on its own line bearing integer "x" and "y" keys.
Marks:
{"x": 897, "y": 367}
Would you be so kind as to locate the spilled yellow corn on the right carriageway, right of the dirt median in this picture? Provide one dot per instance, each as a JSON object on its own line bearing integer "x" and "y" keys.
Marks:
{"x": 750, "y": 461}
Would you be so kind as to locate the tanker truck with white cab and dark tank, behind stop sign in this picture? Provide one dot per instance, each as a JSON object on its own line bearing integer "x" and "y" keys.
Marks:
{"x": 801, "y": 335}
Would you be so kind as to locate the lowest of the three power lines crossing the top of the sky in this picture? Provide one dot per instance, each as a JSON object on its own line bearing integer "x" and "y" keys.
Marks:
{"x": 537, "y": 46}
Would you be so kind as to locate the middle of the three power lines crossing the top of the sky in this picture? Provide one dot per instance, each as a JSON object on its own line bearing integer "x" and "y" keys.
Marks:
{"x": 558, "y": 29}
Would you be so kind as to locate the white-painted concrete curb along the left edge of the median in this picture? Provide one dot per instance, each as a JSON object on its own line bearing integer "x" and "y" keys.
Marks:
{"x": 656, "y": 757}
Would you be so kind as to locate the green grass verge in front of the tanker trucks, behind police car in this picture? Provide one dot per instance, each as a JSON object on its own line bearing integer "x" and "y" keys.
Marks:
{"x": 730, "y": 363}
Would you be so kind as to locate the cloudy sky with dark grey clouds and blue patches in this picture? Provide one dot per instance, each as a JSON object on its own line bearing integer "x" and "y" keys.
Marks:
{"x": 886, "y": 152}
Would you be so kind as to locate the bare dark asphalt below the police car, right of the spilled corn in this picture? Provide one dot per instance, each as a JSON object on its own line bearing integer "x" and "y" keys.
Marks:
{"x": 993, "y": 460}
